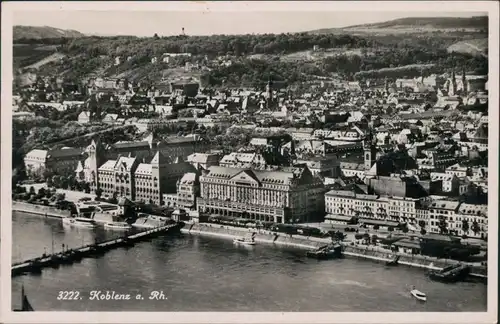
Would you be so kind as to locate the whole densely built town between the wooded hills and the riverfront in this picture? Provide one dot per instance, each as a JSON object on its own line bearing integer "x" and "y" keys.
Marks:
{"x": 423, "y": 167}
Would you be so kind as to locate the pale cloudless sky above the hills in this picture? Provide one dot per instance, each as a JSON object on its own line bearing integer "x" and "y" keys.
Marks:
{"x": 165, "y": 23}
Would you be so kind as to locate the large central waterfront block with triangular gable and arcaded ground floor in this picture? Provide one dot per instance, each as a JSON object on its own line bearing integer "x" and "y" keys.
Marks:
{"x": 291, "y": 194}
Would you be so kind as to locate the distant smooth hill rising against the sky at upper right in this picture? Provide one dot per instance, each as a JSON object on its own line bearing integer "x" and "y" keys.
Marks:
{"x": 414, "y": 25}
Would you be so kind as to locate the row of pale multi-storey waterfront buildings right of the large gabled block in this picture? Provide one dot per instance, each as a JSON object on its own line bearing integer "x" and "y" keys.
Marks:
{"x": 433, "y": 215}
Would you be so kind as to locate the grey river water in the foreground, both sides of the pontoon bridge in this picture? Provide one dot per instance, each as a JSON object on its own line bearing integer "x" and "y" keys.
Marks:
{"x": 198, "y": 273}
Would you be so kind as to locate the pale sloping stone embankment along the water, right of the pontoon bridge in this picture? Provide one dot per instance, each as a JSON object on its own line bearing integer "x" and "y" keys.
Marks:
{"x": 372, "y": 253}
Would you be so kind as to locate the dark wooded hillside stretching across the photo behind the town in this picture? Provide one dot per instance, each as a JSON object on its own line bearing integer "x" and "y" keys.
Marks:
{"x": 247, "y": 59}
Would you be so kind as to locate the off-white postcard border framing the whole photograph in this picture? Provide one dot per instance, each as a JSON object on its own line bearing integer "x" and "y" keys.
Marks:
{"x": 8, "y": 316}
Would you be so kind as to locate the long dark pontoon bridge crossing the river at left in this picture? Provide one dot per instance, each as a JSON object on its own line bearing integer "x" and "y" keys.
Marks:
{"x": 36, "y": 265}
